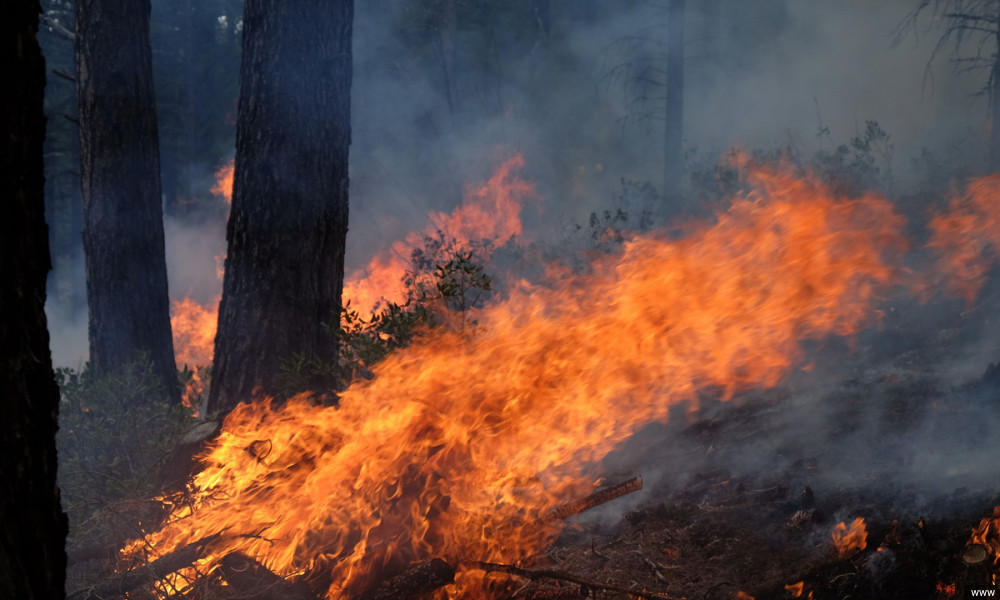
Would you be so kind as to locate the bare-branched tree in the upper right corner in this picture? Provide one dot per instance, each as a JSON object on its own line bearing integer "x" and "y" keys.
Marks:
{"x": 971, "y": 29}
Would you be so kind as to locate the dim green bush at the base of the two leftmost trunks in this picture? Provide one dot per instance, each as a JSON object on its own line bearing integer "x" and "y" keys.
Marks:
{"x": 114, "y": 432}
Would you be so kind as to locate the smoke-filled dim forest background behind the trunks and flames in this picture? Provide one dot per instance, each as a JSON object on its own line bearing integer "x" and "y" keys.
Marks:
{"x": 441, "y": 87}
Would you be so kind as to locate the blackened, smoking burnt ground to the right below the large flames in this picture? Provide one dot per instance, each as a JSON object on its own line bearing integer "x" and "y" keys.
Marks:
{"x": 742, "y": 496}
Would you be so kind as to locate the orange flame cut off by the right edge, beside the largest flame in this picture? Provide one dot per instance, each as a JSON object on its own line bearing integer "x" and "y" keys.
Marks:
{"x": 968, "y": 236}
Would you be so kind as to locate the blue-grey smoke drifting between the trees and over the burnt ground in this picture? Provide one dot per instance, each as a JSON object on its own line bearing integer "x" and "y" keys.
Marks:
{"x": 427, "y": 122}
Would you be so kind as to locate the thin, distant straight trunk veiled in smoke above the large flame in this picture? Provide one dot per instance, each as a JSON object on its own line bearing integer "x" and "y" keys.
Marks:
{"x": 673, "y": 156}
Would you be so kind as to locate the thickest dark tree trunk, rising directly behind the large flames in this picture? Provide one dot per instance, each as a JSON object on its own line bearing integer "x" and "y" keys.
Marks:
{"x": 287, "y": 228}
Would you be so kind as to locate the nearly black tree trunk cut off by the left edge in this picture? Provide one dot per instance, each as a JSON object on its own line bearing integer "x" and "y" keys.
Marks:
{"x": 32, "y": 524}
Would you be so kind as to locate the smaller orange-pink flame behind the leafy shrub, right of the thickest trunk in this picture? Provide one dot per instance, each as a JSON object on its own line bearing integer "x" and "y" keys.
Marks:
{"x": 490, "y": 211}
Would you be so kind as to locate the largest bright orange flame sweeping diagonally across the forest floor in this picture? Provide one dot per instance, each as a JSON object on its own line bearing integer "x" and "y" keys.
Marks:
{"x": 460, "y": 444}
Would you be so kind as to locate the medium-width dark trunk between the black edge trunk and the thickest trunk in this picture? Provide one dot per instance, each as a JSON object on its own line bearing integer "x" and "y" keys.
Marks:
{"x": 120, "y": 169}
